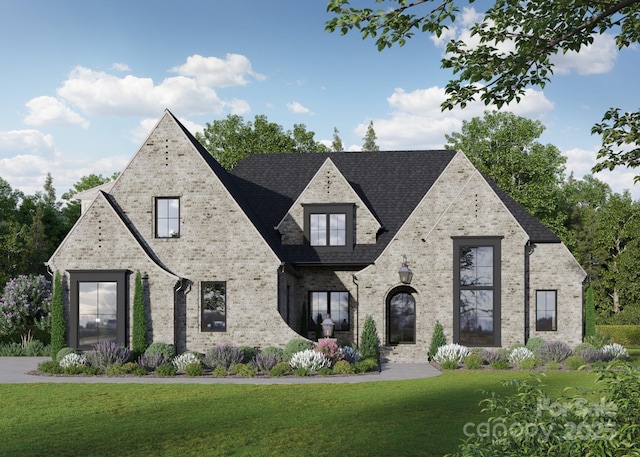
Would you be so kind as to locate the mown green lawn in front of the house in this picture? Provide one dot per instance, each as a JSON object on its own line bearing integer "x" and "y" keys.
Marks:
{"x": 405, "y": 418}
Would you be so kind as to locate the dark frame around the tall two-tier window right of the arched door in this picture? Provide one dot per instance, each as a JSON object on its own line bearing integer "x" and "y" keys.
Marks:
{"x": 496, "y": 287}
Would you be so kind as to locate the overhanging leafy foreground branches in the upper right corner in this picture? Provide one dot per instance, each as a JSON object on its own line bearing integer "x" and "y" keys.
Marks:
{"x": 534, "y": 31}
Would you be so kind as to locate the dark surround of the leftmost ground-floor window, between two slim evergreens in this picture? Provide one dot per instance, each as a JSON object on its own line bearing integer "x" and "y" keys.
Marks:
{"x": 121, "y": 277}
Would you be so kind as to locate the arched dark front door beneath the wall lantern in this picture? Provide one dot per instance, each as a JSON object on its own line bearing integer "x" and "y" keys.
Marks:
{"x": 401, "y": 316}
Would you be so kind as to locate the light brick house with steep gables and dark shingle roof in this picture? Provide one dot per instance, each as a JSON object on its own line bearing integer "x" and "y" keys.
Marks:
{"x": 244, "y": 256}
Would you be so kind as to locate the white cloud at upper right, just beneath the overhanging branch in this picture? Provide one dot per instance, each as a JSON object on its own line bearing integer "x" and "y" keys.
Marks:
{"x": 599, "y": 57}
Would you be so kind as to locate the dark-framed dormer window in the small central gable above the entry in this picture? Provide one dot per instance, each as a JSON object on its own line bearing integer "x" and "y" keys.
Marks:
{"x": 329, "y": 226}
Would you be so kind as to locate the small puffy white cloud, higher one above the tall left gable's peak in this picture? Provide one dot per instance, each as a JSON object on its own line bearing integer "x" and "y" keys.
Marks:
{"x": 216, "y": 72}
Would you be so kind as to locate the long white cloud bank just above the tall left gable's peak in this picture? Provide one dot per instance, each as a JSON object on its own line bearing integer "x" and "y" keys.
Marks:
{"x": 99, "y": 93}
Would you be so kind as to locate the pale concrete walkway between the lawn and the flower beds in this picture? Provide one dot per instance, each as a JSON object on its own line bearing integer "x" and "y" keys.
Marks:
{"x": 19, "y": 370}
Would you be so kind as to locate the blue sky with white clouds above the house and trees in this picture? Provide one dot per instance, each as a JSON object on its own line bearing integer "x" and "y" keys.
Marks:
{"x": 83, "y": 82}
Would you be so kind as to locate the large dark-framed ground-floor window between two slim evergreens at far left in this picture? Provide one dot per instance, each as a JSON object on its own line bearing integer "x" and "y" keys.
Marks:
{"x": 98, "y": 308}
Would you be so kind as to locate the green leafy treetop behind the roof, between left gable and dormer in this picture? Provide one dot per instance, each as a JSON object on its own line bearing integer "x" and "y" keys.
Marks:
{"x": 232, "y": 139}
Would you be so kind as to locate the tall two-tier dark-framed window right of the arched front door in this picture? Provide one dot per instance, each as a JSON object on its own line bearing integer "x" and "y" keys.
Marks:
{"x": 477, "y": 291}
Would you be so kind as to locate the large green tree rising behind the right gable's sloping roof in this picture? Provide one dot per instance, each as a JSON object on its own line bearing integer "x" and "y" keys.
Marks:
{"x": 504, "y": 148}
